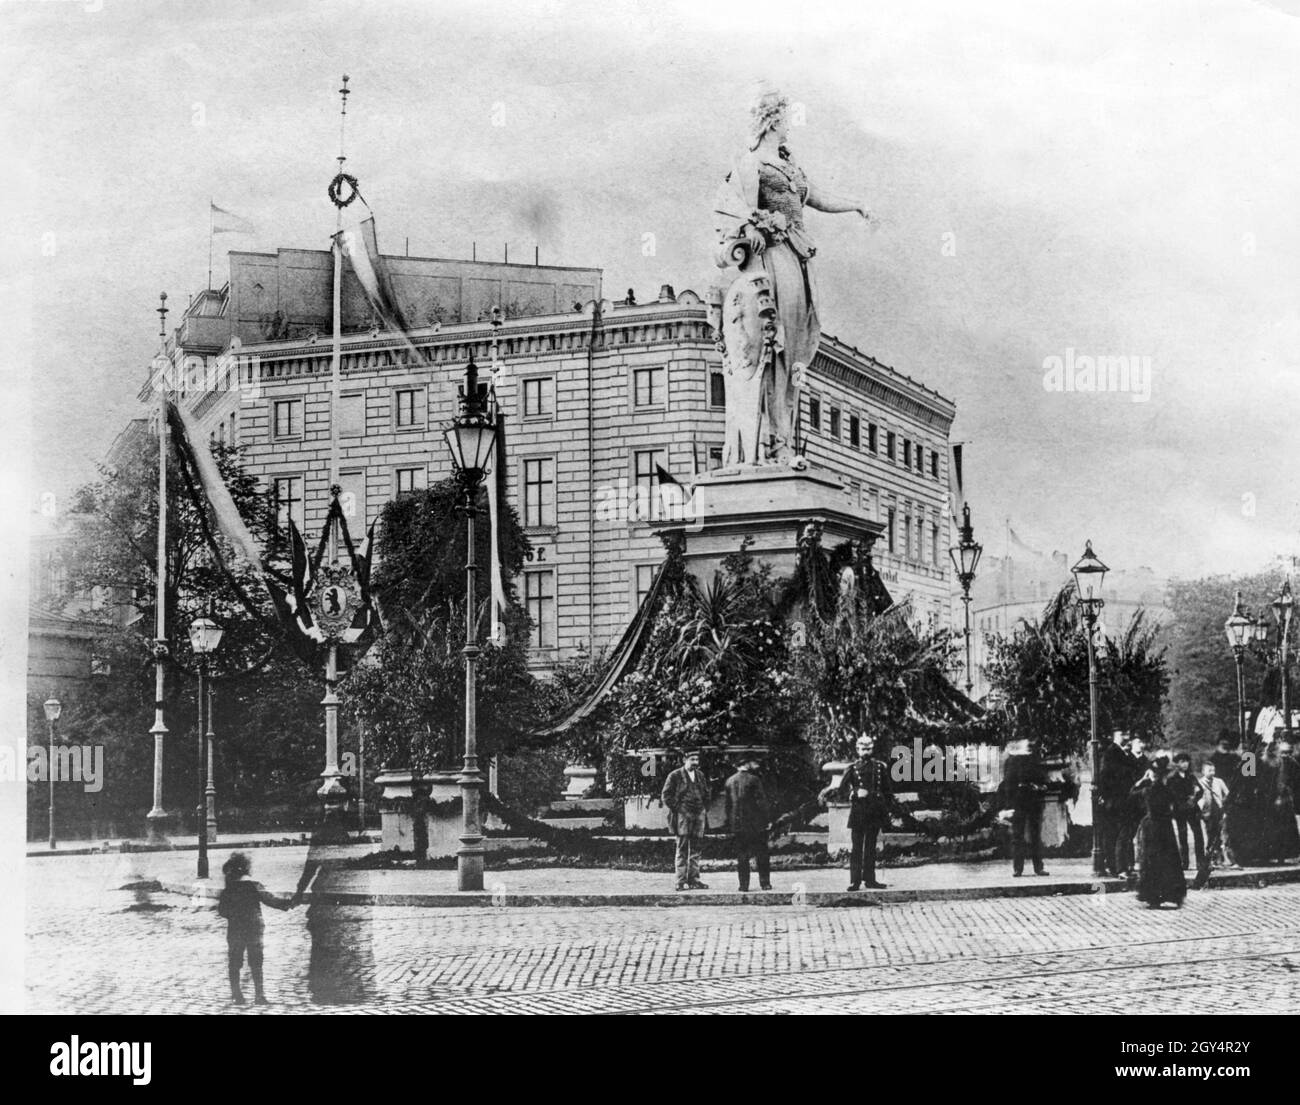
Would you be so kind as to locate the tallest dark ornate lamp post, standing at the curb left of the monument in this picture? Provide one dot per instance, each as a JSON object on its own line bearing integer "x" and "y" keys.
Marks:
{"x": 471, "y": 440}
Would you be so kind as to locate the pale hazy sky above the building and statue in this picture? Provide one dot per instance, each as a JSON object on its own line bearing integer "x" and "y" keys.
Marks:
{"x": 1048, "y": 180}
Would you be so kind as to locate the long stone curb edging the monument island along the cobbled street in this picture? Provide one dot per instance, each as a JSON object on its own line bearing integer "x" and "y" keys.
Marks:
{"x": 781, "y": 898}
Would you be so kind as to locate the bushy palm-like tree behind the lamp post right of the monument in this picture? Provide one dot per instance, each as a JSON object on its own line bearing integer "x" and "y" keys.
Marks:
{"x": 1041, "y": 675}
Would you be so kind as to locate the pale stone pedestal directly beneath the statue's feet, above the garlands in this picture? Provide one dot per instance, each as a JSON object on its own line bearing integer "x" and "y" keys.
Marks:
{"x": 770, "y": 505}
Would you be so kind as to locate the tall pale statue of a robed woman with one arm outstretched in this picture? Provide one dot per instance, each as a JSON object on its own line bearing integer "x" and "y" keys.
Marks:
{"x": 766, "y": 315}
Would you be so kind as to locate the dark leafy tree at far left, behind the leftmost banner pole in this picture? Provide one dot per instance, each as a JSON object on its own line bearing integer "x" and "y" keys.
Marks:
{"x": 266, "y": 755}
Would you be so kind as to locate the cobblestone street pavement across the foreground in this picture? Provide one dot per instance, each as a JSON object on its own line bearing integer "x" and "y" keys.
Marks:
{"x": 93, "y": 948}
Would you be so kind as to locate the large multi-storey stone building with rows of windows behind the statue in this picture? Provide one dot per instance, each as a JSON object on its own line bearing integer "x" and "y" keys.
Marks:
{"x": 601, "y": 398}
